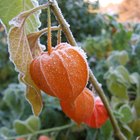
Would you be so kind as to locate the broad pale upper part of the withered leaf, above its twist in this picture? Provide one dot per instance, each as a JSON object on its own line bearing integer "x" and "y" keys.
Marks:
{"x": 19, "y": 49}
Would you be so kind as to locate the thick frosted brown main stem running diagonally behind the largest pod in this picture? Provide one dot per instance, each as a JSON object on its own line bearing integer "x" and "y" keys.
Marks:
{"x": 65, "y": 27}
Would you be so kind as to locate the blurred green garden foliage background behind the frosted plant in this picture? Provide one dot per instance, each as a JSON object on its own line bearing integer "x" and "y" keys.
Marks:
{"x": 109, "y": 32}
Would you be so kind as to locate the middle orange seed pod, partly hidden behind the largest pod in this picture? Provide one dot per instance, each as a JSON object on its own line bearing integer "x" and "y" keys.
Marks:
{"x": 81, "y": 108}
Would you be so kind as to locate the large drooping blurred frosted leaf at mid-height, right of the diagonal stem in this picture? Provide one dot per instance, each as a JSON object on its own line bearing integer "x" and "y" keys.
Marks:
{"x": 118, "y": 81}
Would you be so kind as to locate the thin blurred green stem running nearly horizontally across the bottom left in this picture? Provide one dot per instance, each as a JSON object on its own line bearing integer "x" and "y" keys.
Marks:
{"x": 42, "y": 131}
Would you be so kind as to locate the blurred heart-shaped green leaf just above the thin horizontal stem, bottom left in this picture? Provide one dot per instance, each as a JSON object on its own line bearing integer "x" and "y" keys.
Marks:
{"x": 30, "y": 125}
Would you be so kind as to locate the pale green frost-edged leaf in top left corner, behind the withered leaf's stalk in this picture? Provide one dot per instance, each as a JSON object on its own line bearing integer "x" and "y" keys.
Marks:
{"x": 8, "y": 10}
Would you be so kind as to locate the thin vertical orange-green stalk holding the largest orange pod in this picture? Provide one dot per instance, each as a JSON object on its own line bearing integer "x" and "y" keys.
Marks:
{"x": 49, "y": 32}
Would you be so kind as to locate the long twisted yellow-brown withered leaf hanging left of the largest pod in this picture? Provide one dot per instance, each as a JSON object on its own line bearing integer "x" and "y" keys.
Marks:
{"x": 21, "y": 56}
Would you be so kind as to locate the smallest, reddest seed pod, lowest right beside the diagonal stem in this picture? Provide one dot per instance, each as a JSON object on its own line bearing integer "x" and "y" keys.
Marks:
{"x": 99, "y": 115}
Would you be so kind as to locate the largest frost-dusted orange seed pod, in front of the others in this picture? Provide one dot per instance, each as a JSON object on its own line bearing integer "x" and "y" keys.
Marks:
{"x": 62, "y": 73}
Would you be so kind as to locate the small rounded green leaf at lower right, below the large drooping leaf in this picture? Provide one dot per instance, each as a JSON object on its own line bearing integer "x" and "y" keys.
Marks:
{"x": 126, "y": 114}
